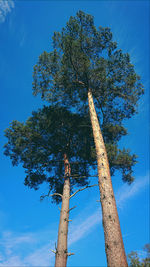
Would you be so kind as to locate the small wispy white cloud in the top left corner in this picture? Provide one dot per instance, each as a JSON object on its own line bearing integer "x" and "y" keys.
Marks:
{"x": 6, "y": 7}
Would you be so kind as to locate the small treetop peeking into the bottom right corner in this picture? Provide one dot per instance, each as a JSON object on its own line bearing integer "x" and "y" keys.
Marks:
{"x": 135, "y": 261}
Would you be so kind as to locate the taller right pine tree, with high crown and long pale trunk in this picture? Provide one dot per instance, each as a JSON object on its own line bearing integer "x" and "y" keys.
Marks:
{"x": 86, "y": 71}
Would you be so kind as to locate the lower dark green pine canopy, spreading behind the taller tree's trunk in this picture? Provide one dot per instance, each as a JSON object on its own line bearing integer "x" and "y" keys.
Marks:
{"x": 41, "y": 142}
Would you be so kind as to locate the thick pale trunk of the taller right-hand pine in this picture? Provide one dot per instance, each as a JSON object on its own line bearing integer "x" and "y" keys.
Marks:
{"x": 113, "y": 238}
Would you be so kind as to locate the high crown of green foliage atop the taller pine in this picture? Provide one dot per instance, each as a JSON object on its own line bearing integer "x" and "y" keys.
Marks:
{"x": 86, "y": 58}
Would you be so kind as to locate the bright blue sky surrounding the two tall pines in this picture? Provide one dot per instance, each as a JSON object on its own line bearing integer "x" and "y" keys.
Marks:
{"x": 28, "y": 227}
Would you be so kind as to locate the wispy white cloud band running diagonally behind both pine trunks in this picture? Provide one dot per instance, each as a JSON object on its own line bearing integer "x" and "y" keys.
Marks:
{"x": 40, "y": 251}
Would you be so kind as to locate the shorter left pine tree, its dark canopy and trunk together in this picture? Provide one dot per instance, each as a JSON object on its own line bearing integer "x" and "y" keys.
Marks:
{"x": 55, "y": 147}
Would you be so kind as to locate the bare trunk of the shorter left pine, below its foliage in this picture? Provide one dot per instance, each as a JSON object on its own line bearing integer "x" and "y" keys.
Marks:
{"x": 62, "y": 252}
